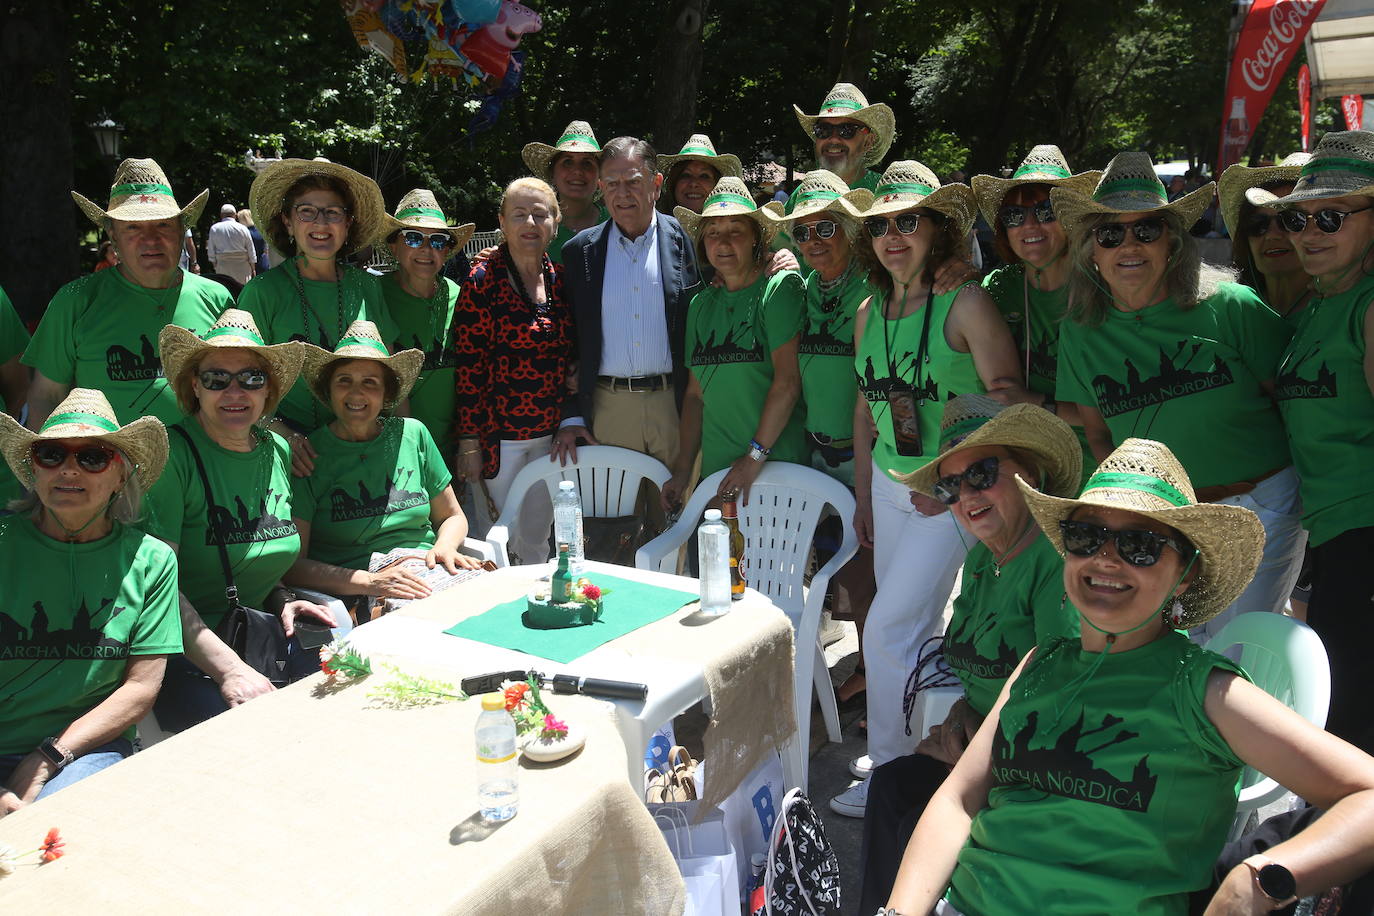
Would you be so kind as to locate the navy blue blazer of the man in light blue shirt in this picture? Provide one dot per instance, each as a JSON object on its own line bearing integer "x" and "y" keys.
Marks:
{"x": 585, "y": 270}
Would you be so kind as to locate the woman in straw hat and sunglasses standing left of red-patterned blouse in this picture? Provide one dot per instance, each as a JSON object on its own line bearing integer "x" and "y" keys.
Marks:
{"x": 423, "y": 303}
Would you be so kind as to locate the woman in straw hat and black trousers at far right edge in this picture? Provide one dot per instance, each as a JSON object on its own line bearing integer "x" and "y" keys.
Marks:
{"x": 1325, "y": 384}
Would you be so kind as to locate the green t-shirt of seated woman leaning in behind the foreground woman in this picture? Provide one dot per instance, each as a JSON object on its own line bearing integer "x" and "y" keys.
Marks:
{"x": 998, "y": 619}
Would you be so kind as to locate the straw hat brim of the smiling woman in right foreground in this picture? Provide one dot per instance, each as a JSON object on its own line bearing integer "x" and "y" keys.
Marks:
{"x": 1230, "y": 540}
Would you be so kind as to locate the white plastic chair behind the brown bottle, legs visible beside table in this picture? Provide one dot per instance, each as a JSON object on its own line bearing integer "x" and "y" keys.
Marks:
{"x": 780, "y": 524}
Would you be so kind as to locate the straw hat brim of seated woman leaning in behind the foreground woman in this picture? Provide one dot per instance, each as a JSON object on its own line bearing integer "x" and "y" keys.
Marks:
{"x": 1022, "y": 426}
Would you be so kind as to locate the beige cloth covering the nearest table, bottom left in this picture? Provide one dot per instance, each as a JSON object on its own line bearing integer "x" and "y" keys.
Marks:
{"x": 307, "y": 803}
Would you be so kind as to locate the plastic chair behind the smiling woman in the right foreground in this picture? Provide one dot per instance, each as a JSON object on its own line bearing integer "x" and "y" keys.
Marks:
{"x": 1285, "y": 659}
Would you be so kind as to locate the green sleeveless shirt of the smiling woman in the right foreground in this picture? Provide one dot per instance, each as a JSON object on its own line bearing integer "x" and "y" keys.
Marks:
{"x": 1112, "y": 796}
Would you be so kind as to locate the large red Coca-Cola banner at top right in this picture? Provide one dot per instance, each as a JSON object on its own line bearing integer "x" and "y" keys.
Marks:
{"x": 1270, "y": 38}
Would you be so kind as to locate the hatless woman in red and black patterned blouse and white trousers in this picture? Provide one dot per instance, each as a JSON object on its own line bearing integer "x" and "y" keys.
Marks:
{"x": 513, "y": 334}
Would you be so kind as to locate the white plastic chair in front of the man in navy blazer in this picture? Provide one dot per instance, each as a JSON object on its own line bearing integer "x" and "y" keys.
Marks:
{"x": 608, "y": 481}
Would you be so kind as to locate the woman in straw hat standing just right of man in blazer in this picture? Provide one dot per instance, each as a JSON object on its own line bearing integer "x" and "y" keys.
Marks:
{"x": 741, "y": 407}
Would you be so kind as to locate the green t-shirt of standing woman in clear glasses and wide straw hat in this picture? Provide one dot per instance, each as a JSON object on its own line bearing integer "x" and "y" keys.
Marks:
{"x": 274, "y": 299}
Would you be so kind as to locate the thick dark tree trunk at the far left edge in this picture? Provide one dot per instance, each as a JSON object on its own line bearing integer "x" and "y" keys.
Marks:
{"x": 38, "y": 220}
